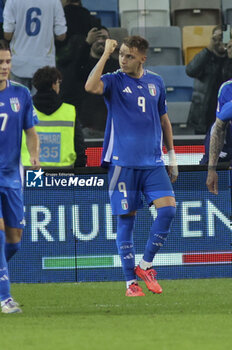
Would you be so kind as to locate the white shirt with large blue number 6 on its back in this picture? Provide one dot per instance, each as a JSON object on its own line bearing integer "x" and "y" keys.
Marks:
{"x": 30, "y": 26}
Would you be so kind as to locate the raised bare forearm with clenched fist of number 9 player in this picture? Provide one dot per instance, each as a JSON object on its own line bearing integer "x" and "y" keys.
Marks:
{"x": 94, "y": 83}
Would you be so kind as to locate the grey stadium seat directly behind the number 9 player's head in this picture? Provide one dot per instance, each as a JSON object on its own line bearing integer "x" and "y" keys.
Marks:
{"x": 164, "y": 45}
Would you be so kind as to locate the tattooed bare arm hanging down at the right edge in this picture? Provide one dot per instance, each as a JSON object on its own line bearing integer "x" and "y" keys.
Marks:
{"x": 216, "y": 145}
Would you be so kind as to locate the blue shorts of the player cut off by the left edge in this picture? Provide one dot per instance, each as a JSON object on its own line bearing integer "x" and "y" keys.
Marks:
{"x": 11, "y": 207}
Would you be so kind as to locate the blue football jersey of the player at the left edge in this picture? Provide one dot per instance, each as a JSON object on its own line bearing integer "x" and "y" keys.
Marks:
{"x": 16, "y": 113}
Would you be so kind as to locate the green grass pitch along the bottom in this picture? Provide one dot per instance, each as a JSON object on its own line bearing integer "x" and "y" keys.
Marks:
{"x": 190, "y": 314}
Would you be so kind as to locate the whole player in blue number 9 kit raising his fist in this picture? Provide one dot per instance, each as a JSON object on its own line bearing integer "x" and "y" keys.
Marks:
{"x": 136, "y": 124}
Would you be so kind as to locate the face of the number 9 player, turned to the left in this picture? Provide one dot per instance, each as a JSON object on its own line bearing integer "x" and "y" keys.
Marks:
{"x": 131, "y": 60}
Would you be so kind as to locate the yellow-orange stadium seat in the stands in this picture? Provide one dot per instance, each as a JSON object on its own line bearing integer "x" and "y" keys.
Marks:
{"x": 195, "y": 38}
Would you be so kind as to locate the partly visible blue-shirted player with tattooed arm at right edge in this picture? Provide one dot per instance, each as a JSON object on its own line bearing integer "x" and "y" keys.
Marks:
{"x": 224, "y": 117}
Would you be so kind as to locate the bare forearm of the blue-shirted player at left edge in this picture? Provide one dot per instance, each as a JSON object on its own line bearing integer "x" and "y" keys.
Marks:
{"x": 32, "y": 141}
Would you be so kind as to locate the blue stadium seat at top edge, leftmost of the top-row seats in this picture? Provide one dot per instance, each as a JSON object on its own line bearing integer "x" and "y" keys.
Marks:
{"x": 107, "y": 11}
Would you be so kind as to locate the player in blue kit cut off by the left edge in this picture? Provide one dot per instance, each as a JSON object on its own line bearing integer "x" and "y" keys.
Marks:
{"x": 16, "y": 114}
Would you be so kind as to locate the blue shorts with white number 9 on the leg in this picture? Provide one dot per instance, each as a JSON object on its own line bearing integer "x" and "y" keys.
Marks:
{"x": 126, "y": 185}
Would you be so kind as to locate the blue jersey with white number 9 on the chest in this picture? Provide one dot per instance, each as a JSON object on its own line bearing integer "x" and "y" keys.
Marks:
{"x": 133, "y": 135}
